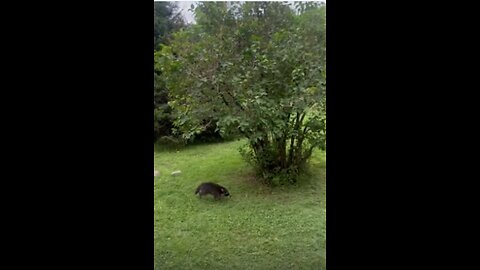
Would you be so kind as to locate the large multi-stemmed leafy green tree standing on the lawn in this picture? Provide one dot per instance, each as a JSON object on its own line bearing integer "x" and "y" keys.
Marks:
{"x": 259, "y": 68}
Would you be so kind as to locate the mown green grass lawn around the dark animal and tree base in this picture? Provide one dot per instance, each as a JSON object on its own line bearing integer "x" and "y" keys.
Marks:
{"x": 257, "y": 228}
